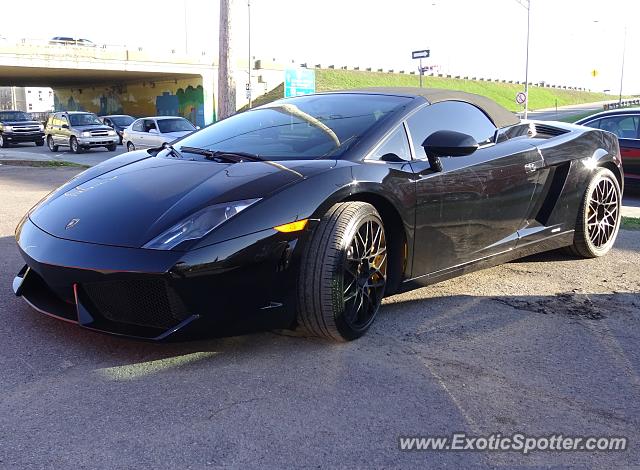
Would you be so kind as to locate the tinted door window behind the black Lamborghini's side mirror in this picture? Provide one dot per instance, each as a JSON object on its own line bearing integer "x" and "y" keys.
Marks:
{"x": 449, "y": 115}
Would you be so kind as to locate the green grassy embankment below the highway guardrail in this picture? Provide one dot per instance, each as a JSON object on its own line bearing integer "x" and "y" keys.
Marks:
{"x": 502, "y": 93}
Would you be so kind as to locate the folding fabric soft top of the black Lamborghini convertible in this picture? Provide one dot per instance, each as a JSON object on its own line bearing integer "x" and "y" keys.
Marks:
{"x": 500, "y": 116}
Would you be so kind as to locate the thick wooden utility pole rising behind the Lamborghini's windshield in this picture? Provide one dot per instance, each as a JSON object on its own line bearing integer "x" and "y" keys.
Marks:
{"x": 226, "y": 84}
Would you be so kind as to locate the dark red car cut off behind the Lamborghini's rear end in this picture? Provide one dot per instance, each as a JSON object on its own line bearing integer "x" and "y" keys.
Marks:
{"x": 625, "y": 123}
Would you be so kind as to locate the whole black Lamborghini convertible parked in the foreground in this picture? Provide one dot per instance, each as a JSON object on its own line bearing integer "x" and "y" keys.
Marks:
{"x": 306, "y": 212}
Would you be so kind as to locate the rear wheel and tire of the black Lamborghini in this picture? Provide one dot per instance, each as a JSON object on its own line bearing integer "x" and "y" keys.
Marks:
{"x": 598, "y": 217}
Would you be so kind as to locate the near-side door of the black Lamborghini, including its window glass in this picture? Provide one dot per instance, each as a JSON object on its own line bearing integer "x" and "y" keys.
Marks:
{"x": 474, "y": 207}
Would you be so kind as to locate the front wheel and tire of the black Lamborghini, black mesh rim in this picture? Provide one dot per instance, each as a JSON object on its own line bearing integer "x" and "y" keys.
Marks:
{"x": 343, "y": 273}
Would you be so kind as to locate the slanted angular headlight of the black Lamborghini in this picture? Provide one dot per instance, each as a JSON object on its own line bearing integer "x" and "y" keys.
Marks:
{"x": 198, "y": 224}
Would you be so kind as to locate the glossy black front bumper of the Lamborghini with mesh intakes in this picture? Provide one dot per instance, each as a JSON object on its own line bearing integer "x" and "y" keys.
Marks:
{"x": 241, "y": 285}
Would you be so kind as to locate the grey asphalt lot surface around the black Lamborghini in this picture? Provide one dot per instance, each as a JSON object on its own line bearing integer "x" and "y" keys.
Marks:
{"x": 539, "y": 346}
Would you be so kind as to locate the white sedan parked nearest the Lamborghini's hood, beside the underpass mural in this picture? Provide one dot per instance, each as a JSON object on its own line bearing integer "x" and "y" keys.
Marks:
{"x": 155, "y": 131}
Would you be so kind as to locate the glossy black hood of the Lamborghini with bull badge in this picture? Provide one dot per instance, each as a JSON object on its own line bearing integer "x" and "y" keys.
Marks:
{"x": 132, "y": 204}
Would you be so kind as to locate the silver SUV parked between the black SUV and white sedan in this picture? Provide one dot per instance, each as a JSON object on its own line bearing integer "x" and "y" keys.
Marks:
{"x": 79, "y": 131}
